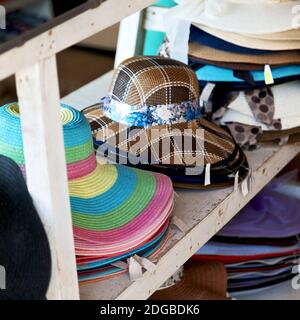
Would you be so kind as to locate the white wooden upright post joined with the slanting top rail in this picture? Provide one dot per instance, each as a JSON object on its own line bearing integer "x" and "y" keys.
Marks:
{"x": 34, "y": 64}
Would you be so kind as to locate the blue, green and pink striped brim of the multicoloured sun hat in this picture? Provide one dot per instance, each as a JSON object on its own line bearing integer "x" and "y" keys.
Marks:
{"x": 123, "y": 223}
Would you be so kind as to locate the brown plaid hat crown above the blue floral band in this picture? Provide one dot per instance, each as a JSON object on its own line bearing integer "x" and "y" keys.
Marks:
{"x": 154, "y": 81}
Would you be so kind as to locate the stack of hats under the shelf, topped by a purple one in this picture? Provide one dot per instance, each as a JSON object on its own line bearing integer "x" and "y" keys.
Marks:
{"x": 260, "y": 246}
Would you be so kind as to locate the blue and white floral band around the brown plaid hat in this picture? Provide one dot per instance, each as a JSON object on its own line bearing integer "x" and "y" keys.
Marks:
{"x": 149, "y": 115}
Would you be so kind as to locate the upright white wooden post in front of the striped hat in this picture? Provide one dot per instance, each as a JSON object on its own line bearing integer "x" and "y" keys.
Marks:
{"x": 44, "y": 152}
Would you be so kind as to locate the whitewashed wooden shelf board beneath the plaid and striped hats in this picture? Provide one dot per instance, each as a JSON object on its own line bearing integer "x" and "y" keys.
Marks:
{"x": 204, "y": 212}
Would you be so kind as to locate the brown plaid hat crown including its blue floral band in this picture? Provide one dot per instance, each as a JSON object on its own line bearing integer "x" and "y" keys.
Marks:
{"x": 148, "y": 91}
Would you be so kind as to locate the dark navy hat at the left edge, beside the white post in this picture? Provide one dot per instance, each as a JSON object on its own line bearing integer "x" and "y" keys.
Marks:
{"x": 25, "y": 257}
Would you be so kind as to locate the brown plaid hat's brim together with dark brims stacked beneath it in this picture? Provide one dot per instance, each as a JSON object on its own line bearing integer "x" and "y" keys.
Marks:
{"x": 215, "y": 147}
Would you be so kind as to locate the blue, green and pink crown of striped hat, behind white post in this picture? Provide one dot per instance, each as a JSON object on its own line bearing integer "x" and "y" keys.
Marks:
{"x": 77, "y": 138}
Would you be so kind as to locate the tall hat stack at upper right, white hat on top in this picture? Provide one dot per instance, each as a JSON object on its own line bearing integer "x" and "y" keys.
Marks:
{"x": 246, "y": 55}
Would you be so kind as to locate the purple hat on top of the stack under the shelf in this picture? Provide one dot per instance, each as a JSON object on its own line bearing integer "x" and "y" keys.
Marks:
{"x": 271, "y": 214}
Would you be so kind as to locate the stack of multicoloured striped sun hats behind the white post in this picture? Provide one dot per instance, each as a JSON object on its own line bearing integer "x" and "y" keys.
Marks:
{"x": 117, "y": 211}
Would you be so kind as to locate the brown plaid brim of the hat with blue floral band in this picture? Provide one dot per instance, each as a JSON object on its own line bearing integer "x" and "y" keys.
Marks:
{"x": 213, "y": 144}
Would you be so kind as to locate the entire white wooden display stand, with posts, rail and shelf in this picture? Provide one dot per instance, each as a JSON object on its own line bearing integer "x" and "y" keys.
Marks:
{"x": 33, "y": 61}
